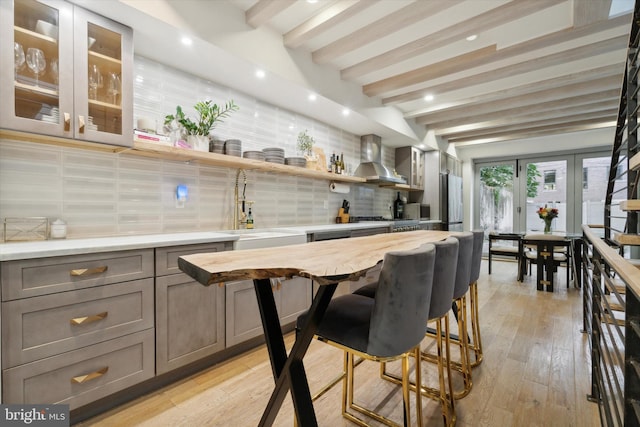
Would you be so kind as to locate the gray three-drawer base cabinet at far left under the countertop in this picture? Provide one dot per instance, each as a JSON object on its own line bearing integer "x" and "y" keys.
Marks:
{"x": 76, "y": 328}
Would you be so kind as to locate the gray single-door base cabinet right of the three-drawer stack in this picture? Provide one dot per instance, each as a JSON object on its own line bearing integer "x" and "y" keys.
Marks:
{"x": 189, "y": 316}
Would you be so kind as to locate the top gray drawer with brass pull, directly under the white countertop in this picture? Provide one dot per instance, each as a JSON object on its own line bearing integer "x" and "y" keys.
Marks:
{"x": 33, "y": 277}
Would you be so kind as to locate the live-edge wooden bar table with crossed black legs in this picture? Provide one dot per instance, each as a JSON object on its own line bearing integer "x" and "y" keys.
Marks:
{"x": 327, "y": 263}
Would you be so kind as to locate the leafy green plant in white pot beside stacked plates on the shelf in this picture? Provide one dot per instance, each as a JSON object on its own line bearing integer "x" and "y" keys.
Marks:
{"x": 197, "y": 132}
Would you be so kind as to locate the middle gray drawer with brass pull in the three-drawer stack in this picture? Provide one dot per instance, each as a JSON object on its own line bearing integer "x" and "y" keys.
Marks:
{"x": 39, "y": 327}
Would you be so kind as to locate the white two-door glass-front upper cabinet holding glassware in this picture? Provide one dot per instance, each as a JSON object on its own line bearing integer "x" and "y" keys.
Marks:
{"x": 71, "y": 74}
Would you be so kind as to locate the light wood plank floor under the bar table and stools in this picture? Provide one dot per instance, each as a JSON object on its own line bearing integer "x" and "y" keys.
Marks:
{"x": 535, "y": 373}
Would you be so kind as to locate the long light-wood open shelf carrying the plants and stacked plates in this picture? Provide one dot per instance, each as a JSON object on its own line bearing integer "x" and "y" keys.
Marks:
{"x": 159, "y": 151}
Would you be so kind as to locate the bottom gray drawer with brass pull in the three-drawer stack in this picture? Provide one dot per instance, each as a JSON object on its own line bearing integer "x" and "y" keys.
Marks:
{"x": 109, "y": 367}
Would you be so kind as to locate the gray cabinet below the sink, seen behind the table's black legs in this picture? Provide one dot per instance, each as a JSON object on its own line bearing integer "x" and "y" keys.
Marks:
{"x": 292, "y": 296}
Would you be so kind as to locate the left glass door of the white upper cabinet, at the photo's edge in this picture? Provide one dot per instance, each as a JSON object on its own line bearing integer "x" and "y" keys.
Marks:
{"x": 39, "y": 34}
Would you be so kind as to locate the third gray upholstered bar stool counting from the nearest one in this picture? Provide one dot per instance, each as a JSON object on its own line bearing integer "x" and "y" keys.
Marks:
{"x": 459, "y": 305}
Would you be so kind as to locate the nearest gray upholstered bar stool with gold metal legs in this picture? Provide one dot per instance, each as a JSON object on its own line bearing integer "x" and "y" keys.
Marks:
{"x": 388, "y": 327}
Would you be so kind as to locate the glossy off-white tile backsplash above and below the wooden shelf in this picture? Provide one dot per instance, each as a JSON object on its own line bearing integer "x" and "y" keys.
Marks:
{"x": 104, "y": 194}
